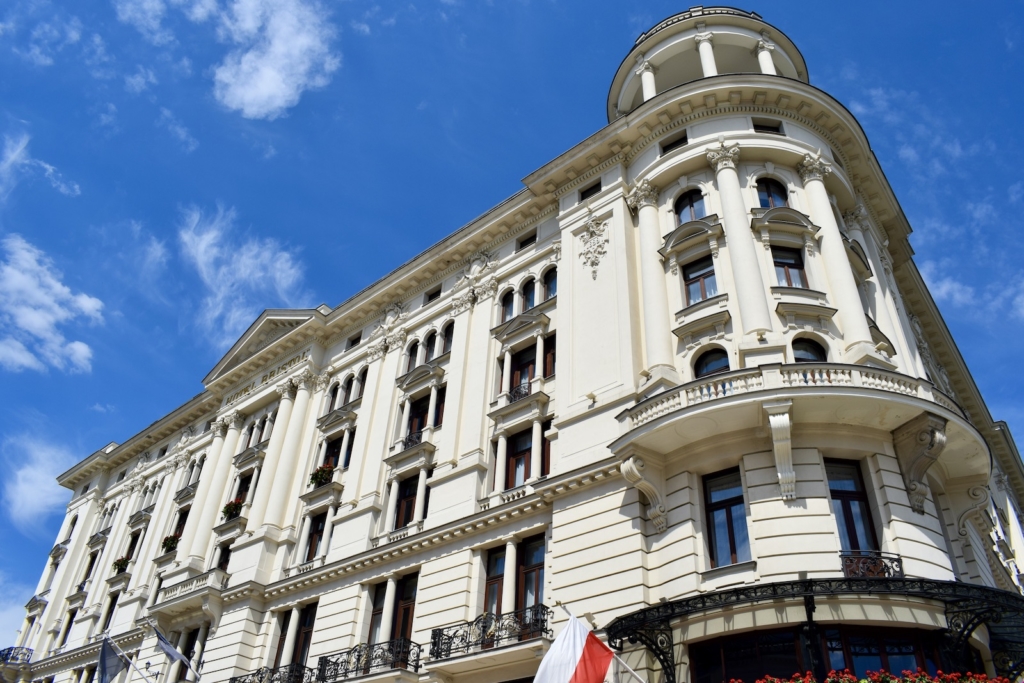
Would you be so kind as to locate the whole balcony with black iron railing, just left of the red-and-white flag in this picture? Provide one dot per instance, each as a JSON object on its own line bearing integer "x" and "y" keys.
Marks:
{"x": 491, "y": 642}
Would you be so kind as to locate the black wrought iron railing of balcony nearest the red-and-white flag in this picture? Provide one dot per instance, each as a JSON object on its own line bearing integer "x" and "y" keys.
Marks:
{"x": 491, "y": 631}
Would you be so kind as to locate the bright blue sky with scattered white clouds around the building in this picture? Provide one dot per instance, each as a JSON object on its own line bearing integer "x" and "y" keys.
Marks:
{"x": 168, "y": 168}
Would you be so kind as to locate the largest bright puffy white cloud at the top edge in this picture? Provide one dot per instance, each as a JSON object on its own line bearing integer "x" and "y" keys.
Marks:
{"x": 283, "y": 50}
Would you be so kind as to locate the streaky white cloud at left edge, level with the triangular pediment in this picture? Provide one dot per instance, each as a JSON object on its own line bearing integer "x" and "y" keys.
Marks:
{"x": 34, "y": 304}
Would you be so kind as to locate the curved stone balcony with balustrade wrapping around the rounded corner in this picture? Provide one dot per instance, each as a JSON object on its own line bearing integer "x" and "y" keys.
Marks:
{"x": 854, "y": 397}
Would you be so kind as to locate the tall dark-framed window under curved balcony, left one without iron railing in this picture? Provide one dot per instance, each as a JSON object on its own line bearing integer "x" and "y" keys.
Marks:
{"x": 727, "y": 519}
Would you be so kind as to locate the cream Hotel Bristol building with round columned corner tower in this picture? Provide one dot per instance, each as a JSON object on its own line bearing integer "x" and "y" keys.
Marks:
{"x": 688, "y": 382}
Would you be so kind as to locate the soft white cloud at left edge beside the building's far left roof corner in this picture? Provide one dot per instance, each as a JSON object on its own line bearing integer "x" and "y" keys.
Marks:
{"x": 31, "y": 493}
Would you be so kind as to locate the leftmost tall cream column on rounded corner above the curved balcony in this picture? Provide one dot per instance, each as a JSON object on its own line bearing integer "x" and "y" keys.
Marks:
{"x": 658, "y": 334}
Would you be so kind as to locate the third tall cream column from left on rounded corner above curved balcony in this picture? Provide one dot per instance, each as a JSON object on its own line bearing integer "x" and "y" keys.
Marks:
{"x": 838, "y": 269}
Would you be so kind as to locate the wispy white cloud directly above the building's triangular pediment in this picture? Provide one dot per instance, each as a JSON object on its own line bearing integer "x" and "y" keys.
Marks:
{"x": 242, "y": 277}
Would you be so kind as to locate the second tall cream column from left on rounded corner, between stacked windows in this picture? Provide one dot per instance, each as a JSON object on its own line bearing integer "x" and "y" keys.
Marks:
{"x": 743, "y": 254}
